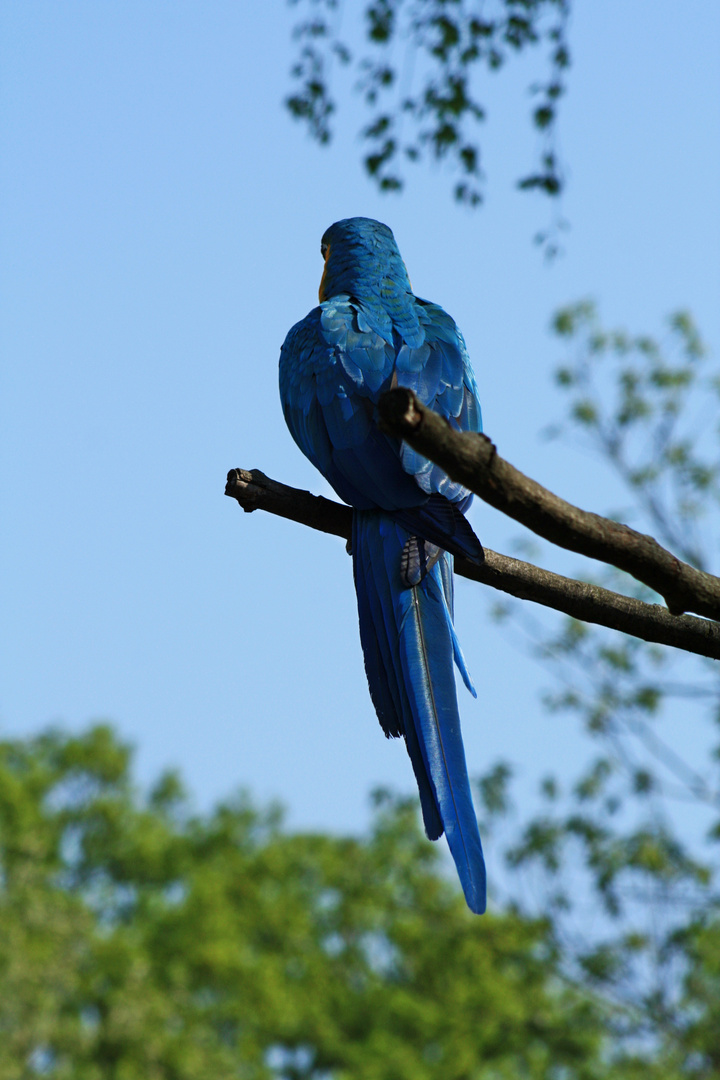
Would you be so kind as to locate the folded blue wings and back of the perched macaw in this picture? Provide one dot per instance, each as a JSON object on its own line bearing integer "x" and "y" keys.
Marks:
{"x": 332, "y": 360}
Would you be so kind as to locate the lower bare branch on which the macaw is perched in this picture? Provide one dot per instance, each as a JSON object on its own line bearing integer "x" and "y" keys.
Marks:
{"x": 653, "y": 623}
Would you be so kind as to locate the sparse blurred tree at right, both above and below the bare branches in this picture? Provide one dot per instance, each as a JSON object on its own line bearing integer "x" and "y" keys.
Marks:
{"x": 633, "y": 903}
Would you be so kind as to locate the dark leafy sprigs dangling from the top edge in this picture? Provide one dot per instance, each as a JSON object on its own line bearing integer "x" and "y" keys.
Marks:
{"x": 416, "y": 67}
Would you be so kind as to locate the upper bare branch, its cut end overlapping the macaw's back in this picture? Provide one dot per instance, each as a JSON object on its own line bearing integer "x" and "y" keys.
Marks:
{"x": 473, "y": 461}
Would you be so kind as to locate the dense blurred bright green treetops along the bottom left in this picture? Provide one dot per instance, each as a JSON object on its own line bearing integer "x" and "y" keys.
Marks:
{"x": 141, "y": 941}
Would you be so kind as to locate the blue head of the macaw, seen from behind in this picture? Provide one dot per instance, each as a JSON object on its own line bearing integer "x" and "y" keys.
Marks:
{"x": 362, "y": 260}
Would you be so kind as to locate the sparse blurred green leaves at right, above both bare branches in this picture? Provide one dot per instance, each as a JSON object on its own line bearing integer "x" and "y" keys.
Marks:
{"x": 648, "y": 407}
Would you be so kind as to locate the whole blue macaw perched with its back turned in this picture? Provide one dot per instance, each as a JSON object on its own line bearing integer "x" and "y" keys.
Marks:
{"x": 372, "y": 333}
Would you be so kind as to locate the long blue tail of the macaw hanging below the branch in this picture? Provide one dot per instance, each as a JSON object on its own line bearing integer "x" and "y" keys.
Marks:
{"x": 410, "y": 645}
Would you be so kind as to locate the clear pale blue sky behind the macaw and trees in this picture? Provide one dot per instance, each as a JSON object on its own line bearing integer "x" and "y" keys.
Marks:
{"x": 161, "y": 232}
